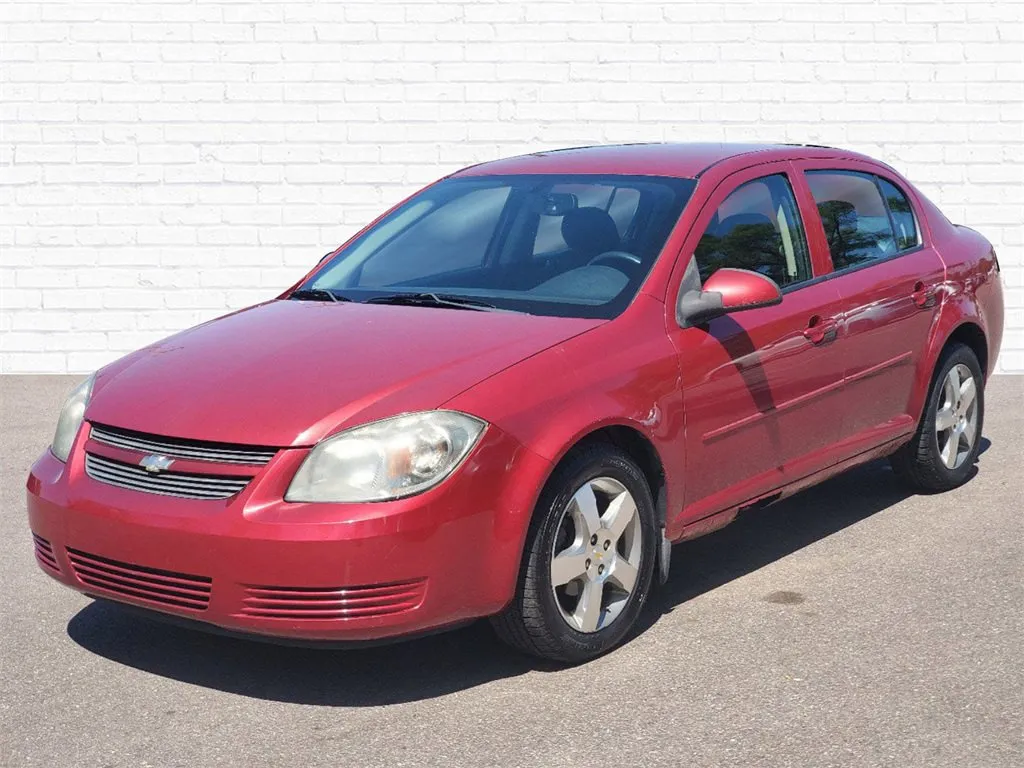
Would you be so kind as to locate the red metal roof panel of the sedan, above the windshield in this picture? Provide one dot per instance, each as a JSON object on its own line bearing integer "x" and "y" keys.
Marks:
{"x": 680, "y": 160}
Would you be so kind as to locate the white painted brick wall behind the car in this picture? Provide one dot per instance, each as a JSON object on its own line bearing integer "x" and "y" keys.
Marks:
{"x": 162, "y": 163}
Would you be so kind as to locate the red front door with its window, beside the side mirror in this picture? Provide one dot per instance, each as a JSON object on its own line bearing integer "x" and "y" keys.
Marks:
{"x": 761, "y": 388}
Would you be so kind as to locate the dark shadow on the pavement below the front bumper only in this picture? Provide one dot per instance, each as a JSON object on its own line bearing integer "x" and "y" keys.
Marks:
{"x": 412, "y": 671}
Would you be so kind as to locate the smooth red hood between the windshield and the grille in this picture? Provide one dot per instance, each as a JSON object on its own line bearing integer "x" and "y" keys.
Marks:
{"x": 289, "y": 373}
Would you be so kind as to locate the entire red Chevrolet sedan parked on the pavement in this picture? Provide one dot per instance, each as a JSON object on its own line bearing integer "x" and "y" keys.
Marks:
{"x": 510, "y": 395}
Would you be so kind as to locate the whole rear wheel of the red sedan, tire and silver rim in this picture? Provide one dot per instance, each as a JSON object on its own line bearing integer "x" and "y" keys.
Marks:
{"x": 929, "y": 463}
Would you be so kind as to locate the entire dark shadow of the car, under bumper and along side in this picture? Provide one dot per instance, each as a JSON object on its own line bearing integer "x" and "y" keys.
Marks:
{"x": 463, "y": 659}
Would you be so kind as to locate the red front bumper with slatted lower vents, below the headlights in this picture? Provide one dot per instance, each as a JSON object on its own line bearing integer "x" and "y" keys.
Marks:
{"x": 257, "y": 565}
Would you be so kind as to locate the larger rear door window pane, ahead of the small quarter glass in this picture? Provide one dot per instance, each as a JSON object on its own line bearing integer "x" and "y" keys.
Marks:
{"x": 855, "y": 217}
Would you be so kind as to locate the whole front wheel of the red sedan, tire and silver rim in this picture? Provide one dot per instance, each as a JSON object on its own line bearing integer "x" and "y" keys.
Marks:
{"x": 557, "y": 622}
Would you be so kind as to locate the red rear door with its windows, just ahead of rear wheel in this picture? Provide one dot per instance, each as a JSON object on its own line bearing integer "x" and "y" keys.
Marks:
{"x": 889, "y": 280}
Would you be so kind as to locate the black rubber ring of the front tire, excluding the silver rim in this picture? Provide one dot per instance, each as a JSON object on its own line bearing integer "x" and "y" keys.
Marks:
{"x": 606, "y": 461}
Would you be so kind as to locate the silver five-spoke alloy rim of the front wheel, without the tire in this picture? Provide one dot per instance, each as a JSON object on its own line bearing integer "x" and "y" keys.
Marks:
{"x": 595, "y": 560}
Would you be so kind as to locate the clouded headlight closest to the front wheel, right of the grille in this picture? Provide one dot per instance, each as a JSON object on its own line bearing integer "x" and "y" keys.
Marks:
{"x": 388, "y": 459}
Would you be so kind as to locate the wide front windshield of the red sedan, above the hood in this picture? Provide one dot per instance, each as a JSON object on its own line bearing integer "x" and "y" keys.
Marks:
{"x": 561, "y": 245}
